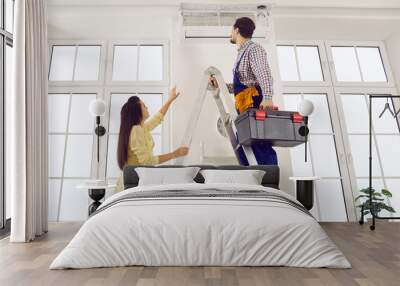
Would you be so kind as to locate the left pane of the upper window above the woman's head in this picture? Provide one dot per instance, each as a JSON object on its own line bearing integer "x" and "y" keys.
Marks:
{"x": 125, "y": 63}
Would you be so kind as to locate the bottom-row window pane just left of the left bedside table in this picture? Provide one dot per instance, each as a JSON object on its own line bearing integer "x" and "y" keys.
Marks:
{"x": 74, "y": 202}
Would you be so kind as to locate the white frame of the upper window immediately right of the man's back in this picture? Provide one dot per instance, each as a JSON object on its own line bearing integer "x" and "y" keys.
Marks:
{"x": 323, "y": 59}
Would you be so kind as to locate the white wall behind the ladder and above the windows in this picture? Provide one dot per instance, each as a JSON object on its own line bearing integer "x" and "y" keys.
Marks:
{"x": 188, "y": 61}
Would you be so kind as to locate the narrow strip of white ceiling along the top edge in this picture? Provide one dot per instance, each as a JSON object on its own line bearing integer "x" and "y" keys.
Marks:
{"x": 387, "y": 4}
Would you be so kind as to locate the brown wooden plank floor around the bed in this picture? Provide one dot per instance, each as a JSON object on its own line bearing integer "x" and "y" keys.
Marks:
{"x": 375, "y": 257}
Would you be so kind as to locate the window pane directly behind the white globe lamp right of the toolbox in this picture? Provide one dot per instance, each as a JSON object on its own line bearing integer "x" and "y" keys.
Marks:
{"x": 320, "y": 119}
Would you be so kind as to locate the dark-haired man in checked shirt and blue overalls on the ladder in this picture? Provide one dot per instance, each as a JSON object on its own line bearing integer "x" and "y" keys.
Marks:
{"x": 252, "y": 84}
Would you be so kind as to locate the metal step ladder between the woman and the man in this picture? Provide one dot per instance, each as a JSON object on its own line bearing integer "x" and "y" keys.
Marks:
{"x": 227, "y": 111}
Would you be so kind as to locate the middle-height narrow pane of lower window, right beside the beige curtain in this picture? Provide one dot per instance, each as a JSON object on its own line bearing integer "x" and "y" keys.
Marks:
{"x": 56, "y": 155}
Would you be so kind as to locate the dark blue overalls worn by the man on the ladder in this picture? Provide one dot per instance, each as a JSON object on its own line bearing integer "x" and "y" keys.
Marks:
{"x": 264, "y": 153}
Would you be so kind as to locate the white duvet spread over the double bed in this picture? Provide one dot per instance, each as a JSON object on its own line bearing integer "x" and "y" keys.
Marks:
{"x": 185, "y": 230}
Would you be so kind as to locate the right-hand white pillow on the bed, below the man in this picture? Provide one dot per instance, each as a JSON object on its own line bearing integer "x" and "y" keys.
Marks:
{"x": 248, "y": 177}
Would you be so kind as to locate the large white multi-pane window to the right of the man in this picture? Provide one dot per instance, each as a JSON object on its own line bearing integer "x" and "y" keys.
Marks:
{"x": 337, "y": 77}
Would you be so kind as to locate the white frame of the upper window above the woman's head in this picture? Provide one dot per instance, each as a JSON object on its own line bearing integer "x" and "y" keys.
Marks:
{"x": 110, "y": 55}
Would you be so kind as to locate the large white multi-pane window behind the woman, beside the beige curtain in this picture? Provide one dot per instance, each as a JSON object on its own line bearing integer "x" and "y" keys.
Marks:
{"x": 78, "y": 73}
